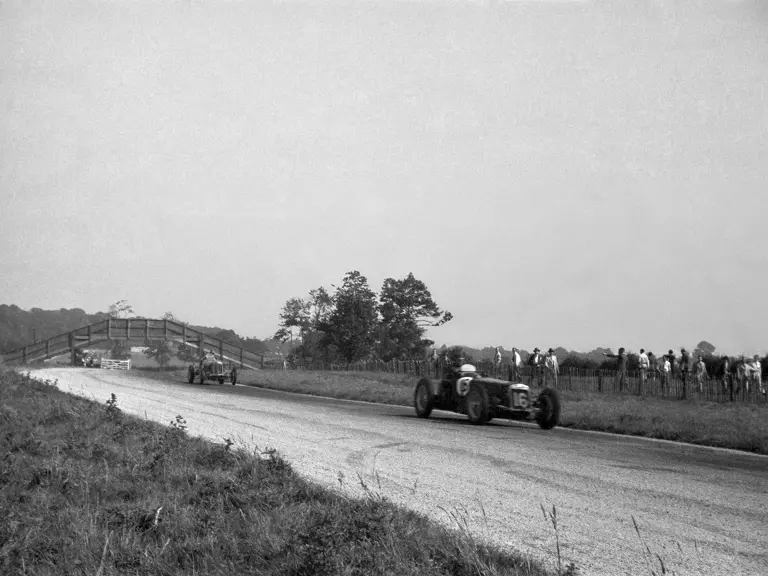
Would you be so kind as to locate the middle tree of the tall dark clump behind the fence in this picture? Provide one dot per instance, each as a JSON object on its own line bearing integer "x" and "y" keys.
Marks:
{"x": 351, "y": 325}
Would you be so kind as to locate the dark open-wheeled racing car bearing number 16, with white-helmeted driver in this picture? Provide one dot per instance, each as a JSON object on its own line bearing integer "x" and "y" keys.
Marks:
{"x": 465, "y": 391}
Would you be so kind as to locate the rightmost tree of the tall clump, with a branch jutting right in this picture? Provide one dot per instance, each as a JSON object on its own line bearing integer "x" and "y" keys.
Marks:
{"x": 407, "y": 310}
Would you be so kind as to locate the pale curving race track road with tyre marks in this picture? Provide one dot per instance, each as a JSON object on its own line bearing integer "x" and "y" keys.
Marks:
{"x": 704, "y": 511}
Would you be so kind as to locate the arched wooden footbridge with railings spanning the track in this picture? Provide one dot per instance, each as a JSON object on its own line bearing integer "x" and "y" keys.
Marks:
{"x": 130, "y": 329}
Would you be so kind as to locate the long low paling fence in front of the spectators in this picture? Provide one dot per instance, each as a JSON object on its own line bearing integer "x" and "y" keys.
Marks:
{"x": 652, "y": 383}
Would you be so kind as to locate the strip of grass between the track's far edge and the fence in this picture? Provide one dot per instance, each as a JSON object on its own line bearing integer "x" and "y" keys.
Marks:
{"x": 736, "y": 425}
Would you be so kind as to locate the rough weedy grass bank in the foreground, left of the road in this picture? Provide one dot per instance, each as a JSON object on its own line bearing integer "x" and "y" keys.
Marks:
{"x": 86, "y": 489}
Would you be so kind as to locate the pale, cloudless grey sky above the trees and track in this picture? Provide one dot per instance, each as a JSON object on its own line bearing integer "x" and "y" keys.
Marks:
{"x": 559, "y": 173}
